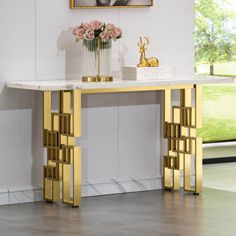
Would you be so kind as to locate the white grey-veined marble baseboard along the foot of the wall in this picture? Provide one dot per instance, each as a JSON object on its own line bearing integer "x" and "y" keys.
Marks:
{"x": 89, "y": 188}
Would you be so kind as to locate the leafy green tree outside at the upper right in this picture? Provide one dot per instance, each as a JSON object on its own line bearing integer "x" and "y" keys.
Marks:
{"x": 214, "y": 32}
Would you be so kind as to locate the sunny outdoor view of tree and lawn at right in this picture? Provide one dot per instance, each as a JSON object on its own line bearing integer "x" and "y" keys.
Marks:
{"x": 215, "y": 37}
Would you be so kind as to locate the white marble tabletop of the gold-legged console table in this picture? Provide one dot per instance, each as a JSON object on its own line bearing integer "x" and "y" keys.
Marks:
{"x": 55, "y": 85}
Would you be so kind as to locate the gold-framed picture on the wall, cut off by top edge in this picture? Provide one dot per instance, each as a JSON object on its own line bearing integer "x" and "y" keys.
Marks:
{"x": 109, "y": 3}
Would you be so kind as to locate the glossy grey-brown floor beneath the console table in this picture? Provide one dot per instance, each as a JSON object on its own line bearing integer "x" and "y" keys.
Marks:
{"x": 153, "y": 213}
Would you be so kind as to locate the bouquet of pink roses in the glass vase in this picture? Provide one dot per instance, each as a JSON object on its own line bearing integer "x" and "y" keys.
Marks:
{"x": 97, "y": 30}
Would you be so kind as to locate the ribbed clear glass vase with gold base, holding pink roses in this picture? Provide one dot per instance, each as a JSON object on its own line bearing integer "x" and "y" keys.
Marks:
{"x": 97, "y": 57}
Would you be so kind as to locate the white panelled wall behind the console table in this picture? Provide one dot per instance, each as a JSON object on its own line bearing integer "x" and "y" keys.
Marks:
{"x": 36, "y": 44}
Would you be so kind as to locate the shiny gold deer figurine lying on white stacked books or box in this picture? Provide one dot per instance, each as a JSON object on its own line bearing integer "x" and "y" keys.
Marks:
{"x": 146, "y": 62}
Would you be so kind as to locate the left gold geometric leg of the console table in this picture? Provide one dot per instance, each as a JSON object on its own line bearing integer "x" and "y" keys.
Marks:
{"x": 63, "y": 158}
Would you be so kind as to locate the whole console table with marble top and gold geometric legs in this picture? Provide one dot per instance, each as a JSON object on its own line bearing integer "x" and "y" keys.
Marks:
{"x": 61, "y": 128}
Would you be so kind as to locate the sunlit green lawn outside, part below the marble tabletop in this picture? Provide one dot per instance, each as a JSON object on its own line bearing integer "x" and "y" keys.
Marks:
{"x": 219, "y": 113}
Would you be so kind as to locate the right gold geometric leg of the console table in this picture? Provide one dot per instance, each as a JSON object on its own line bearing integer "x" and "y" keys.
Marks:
{"x": 184, "y": 147}
